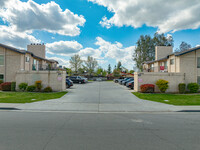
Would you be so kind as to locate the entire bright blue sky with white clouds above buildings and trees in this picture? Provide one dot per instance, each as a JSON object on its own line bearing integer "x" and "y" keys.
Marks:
{"x": 104, "y": 29}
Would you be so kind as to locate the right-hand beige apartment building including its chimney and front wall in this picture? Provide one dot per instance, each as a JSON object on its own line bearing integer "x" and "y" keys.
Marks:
{"x": 177, "y": 67}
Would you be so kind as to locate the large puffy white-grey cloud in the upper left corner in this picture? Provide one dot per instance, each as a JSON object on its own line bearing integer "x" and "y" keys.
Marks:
{"x": 29, "y": 16}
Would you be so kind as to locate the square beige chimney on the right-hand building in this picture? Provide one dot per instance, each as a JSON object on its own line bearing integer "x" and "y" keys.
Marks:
{"x": 162, "y": 51}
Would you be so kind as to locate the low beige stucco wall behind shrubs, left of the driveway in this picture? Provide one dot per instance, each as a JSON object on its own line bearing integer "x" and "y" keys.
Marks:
{"x": 55, "y": 79}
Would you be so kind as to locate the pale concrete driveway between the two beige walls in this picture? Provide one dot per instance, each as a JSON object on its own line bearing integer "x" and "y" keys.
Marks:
{"x": 99, "y": 97}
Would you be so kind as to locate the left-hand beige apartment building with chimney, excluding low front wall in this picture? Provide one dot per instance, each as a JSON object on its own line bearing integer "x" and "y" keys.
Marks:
{"x": 13, "y": 60}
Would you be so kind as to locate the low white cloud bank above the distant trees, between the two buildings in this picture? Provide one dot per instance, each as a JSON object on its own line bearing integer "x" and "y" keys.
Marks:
{"x": 105, "y": 52}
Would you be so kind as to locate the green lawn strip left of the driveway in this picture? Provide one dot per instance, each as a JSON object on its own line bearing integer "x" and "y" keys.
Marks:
{"x": 25, "y": 97}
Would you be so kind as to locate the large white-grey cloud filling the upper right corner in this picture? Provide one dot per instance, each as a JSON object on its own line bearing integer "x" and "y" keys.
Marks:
{"x": 171, "y": 15}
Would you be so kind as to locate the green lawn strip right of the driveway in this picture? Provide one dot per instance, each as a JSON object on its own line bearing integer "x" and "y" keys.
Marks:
{"x": 174, "y": 99}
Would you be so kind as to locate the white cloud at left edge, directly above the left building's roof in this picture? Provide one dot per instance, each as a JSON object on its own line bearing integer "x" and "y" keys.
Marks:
{"x": 16, "y": 39}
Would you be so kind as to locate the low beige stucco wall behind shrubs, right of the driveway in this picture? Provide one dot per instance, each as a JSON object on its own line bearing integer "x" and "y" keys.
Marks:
{"x": 150, "y": 78}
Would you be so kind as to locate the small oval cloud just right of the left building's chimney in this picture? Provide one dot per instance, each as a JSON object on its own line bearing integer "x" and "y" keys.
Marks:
{"x": 64, "y": 47}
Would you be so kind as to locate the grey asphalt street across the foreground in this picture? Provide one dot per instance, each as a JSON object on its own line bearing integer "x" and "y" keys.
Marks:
{"x": 99, "y": 131}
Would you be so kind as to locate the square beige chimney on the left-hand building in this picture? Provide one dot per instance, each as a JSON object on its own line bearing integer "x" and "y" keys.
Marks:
{"x": 37, "y": 49}
